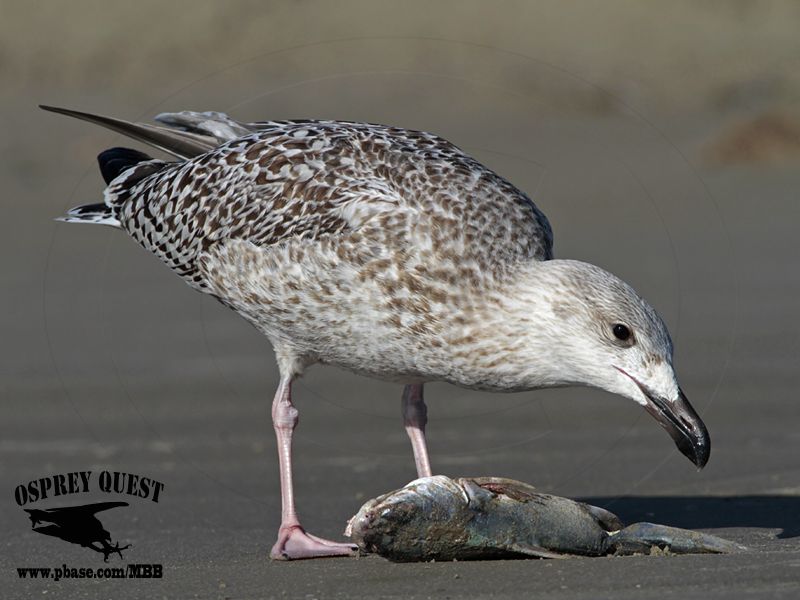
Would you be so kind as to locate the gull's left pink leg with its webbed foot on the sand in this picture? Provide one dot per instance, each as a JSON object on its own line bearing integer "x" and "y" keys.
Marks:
{"x": 293, "y": 541}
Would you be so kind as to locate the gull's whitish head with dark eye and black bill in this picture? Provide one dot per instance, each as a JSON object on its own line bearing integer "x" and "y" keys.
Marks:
{"x": 605, "y": 335}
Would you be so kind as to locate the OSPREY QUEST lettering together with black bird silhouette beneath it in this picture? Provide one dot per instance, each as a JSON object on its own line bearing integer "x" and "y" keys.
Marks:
{"x": 81, "y": 524}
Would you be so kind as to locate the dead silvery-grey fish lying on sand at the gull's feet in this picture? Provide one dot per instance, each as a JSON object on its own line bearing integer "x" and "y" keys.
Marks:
{"x": 438, "y": 518}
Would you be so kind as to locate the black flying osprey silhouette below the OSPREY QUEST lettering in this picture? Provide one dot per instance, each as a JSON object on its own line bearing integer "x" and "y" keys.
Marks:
{"x": 78, "y": 525}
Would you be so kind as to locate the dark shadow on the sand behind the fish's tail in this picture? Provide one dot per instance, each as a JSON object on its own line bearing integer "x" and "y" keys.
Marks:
{"x": 708, "y": 512}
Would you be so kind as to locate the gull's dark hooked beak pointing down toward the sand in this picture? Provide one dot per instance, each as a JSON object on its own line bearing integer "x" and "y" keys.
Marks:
{"x": 682, "y": 423}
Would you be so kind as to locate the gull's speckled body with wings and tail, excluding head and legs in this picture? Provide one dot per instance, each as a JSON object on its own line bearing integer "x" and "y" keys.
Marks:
{"x": 385, "y": 251}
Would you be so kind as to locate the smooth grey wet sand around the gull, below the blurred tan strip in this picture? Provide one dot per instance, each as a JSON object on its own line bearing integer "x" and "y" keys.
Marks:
{"x": 110, "y": 362}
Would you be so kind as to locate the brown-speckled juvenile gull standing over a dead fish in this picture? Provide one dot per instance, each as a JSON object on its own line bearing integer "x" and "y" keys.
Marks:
{"x": 389, "y": 253}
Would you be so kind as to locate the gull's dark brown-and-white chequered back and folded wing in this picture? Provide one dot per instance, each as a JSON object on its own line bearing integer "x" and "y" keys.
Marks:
{"x": 310, "y": 179}
